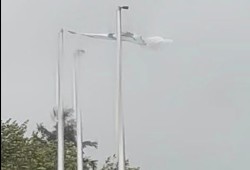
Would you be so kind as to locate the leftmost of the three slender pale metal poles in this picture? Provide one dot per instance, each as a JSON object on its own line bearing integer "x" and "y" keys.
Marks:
{"x": 60, "y": 124}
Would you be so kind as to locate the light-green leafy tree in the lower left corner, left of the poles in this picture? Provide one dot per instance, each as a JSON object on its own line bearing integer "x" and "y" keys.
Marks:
{"x": 24, "y": 153}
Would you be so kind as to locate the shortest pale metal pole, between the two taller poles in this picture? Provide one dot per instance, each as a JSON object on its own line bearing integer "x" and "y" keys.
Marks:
{"x": 77, "y": 110}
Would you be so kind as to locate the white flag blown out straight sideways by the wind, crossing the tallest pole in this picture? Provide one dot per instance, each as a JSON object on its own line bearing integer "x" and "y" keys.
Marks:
{"x": 130, "y": 37}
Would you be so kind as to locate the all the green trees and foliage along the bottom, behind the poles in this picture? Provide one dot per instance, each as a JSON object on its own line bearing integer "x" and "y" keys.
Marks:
{"x": 39, "y": 151}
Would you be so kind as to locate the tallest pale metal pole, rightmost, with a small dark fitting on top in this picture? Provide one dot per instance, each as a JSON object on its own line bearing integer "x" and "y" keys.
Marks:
{"x": 119, "y": 115}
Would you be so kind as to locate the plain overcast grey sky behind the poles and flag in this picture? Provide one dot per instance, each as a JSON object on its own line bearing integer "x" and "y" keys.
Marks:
{"x": 186, "y": 105}
